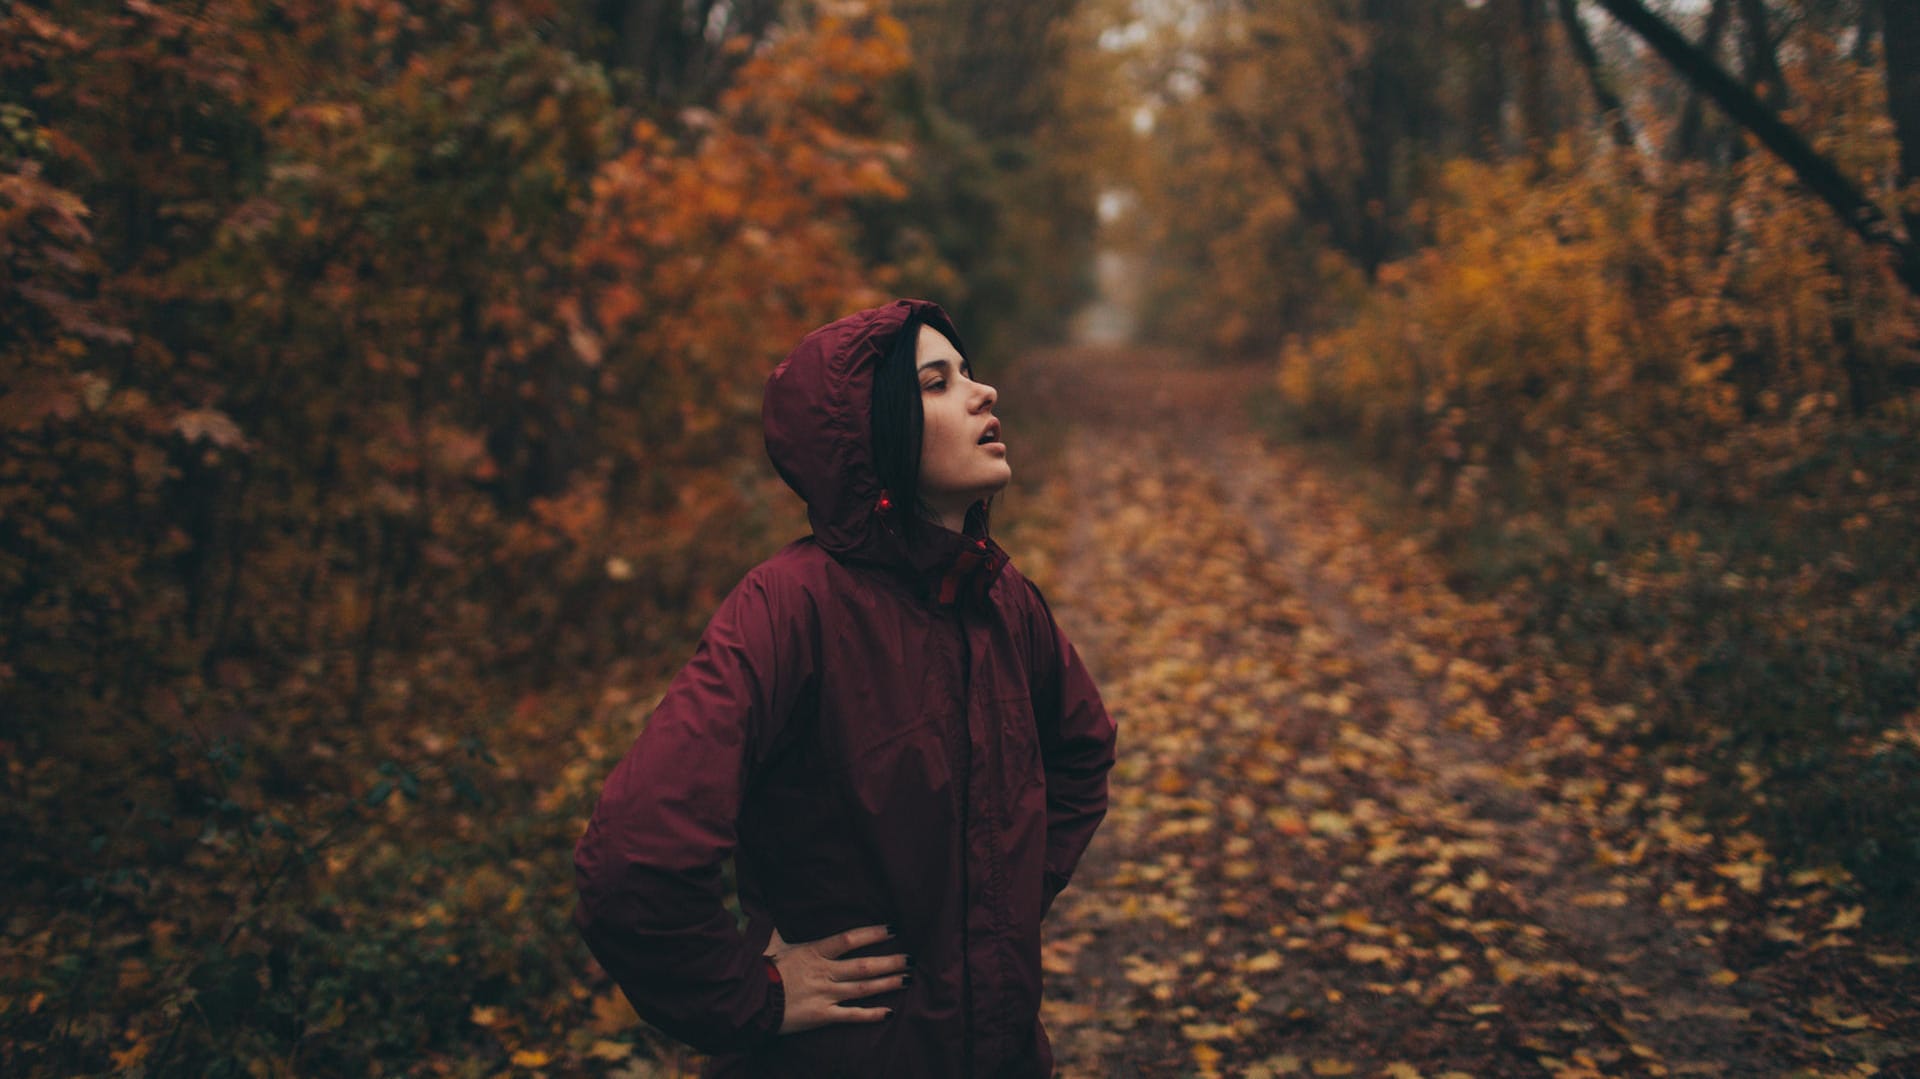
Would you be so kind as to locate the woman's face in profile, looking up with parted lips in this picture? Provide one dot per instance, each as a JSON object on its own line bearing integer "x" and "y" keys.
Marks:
{"x": 961, "y": 454}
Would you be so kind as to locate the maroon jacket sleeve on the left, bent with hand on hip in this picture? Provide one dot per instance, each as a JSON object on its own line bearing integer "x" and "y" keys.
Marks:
{"x": 650, "y": 865}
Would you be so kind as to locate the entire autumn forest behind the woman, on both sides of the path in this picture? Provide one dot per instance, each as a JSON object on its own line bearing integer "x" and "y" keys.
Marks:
{"x": 379, "y": 395}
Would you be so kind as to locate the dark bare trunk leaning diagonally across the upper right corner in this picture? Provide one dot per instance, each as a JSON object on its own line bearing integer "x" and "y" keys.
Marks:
{"x": 1815, "y": 172}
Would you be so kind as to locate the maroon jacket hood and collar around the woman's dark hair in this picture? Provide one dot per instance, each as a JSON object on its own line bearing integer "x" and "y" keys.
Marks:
{"x": 817, "y": 416}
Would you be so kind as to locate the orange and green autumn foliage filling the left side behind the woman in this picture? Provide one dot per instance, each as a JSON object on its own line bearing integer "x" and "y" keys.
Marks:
{"x": 379, "y": 385}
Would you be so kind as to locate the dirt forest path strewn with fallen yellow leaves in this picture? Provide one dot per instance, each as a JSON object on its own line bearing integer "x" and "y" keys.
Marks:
{"x": 1356, "y": 828}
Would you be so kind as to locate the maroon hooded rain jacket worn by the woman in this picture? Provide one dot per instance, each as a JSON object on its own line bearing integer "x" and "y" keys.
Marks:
{"x": 876, "y": 734}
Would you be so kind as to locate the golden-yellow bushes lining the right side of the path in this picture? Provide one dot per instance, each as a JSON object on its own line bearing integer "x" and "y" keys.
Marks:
{"x": 1669, "y": 408}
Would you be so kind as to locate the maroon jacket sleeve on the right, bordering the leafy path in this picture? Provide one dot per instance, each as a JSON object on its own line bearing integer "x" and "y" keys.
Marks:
{"x": 1076, "y": 748}
